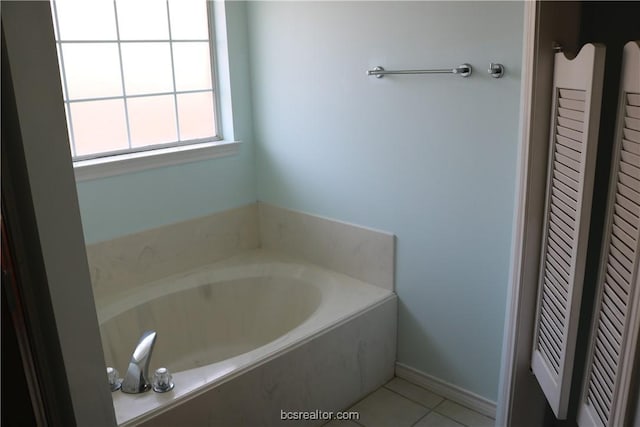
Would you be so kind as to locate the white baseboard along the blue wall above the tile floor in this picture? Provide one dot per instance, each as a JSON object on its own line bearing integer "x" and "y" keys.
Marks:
{"x": 446, "y": 390}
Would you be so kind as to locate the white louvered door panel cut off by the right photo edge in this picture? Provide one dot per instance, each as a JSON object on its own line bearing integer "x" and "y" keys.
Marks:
{"x": 615, "y": 326}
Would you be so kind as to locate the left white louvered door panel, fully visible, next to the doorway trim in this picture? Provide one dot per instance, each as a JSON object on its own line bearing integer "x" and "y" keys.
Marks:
{"x": 572, "y": 151}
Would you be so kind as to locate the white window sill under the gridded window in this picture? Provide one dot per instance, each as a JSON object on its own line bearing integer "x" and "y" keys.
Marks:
{"x": 126, "y": 163}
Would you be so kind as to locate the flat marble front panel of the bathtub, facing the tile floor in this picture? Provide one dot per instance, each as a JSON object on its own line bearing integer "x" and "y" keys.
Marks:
{"x": 328, "y": 373}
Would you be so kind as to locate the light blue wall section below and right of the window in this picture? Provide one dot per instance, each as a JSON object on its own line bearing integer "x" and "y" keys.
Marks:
{"x": 119, "y": 205}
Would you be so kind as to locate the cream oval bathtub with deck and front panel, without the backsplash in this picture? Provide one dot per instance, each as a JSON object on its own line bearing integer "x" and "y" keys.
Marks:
{"x": 249, "y": 337}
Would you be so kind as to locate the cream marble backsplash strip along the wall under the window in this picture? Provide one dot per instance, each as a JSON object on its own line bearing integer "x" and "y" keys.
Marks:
{"x": 119, "y": 264}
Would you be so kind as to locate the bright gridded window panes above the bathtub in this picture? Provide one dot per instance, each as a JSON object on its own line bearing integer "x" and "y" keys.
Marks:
{"x": 136, "y": 75}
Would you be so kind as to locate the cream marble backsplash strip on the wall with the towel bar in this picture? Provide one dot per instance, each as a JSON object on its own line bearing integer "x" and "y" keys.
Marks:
{"x": 363, "y": 253}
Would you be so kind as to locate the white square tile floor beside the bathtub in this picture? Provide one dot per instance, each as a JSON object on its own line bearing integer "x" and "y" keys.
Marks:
{"x": 400, "y": 403}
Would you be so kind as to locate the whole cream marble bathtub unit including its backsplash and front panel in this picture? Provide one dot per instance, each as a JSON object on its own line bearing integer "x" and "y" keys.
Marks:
{"x": 258, "y": 307}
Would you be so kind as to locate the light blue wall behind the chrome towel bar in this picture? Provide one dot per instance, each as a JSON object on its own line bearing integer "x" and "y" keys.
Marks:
{"x": 429, "y": 158}
